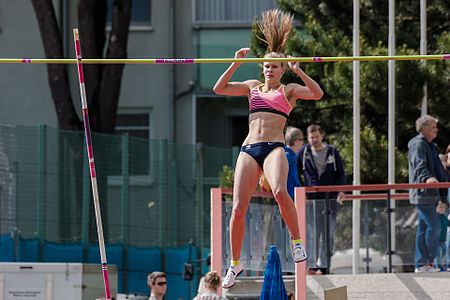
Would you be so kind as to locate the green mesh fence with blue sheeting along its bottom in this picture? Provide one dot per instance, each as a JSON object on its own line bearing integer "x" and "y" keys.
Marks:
{"x": 154, "y": 199}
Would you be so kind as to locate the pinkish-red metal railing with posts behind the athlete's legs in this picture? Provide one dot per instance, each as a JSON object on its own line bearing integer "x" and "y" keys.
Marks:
{"x": 387, "y": 194}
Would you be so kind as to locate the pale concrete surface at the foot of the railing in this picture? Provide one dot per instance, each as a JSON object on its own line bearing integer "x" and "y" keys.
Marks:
{"x": 395, "y": 286}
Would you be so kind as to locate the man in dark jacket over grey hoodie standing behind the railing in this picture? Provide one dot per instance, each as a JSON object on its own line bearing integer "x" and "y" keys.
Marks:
{"x": 320, "y": 164}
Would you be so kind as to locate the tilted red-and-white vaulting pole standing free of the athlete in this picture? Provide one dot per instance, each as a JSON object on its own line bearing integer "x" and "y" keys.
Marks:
{"x": 90, "y": 153}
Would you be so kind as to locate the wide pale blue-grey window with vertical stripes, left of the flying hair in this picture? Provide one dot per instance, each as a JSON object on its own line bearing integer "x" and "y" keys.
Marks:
{"x": 229, "y": 12}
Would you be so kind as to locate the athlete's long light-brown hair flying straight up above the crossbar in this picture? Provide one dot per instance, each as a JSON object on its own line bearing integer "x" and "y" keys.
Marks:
{"x": 275, "y": 26}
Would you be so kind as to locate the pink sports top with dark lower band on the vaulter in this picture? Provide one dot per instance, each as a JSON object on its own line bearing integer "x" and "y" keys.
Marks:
{"x": 274, "y": 102}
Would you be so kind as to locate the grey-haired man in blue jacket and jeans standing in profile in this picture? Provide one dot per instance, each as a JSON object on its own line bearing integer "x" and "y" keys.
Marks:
{"x": 426, "y": 167}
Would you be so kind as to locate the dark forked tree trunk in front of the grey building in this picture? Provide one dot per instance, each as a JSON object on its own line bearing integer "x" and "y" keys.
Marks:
{"x": 102, "y": 81}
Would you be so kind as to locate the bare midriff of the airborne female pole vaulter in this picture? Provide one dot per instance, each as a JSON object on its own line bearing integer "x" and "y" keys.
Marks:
{"x": 265, "y": 127}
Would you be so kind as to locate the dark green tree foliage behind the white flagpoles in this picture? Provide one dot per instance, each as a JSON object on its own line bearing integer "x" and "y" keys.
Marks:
{"x": 326, "y": 30}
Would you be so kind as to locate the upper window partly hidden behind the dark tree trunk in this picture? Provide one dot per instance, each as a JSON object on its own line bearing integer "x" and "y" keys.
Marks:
{"x": 141, "y": 14}
